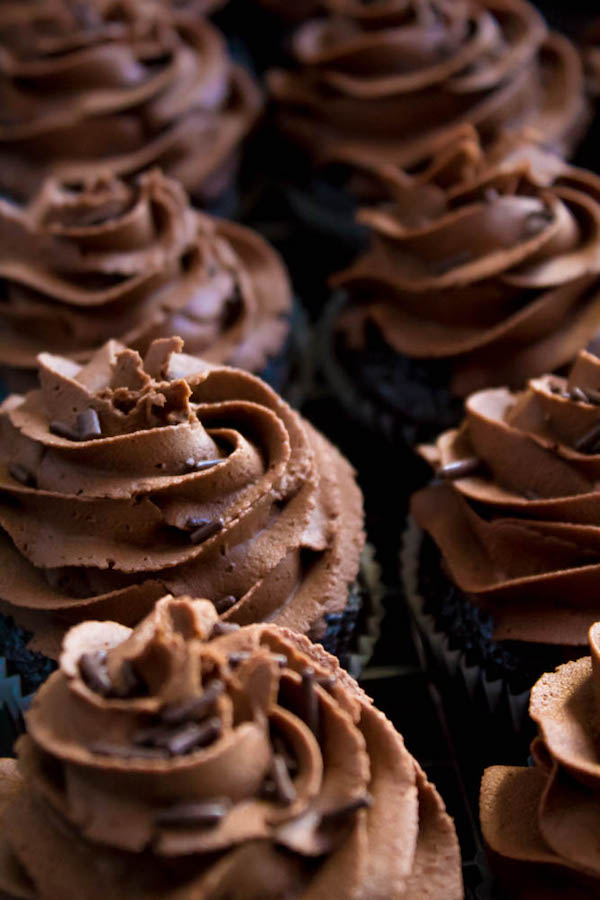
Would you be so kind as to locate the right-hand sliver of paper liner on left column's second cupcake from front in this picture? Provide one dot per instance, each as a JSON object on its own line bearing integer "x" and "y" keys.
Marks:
{"x": 352, "y": 634}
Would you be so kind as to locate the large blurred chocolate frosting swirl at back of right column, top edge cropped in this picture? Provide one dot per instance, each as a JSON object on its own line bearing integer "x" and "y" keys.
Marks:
{"x": 384, "y": 82}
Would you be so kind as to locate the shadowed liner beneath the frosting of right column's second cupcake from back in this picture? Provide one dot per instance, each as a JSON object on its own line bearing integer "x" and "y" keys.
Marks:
{"x": 406, "y": 401}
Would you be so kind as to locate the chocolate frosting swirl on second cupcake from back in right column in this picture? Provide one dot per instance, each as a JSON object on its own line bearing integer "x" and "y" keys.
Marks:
{"x": 492, "y": 267}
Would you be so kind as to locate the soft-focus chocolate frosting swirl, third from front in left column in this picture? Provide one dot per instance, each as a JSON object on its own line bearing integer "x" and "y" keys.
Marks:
{"x": 136, "y": 262}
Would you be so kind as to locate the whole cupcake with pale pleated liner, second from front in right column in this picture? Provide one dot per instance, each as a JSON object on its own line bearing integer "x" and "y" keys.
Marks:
{"x": 507, "y": 561}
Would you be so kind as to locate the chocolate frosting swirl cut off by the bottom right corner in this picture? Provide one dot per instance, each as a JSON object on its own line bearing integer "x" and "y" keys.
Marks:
{"x": 540, "y": 823}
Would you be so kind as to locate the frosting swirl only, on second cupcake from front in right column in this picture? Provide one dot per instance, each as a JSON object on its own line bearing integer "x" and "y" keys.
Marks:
{"x": 515, "y": 508}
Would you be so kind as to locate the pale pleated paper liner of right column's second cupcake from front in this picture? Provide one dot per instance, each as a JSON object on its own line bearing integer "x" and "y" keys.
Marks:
{"x": 464, "y": 683}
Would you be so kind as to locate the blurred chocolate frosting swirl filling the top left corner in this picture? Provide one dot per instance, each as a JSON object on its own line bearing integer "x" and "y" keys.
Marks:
{"x": 117, "y": 85}
